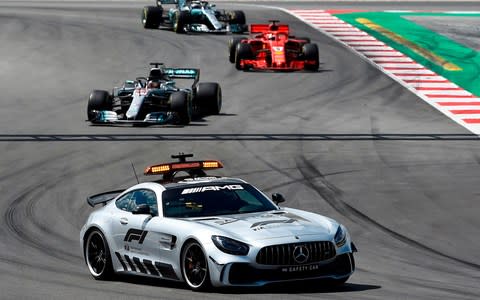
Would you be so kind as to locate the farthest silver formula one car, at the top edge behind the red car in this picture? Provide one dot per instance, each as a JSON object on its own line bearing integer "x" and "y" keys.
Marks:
{"x": 193, "y": 16}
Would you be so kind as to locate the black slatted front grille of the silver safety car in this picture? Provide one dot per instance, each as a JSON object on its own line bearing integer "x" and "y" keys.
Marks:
{"x": 284, "y": 254}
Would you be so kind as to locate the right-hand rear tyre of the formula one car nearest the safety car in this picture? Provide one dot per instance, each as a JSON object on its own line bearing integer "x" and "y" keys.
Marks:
{"x": 209, "y": 97}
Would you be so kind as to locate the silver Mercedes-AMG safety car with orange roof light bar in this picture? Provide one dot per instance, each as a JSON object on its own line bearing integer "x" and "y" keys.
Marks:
{"x": 210, "y": 231}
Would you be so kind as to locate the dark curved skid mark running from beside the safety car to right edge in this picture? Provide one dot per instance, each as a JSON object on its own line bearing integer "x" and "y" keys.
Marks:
{"x": 333, "y": 196}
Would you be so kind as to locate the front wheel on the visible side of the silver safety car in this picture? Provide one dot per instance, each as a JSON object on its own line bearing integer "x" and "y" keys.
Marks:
{"x": 195, "y": 267}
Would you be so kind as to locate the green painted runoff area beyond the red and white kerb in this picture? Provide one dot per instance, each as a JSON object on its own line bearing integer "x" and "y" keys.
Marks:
{"x": 467, "y": 59}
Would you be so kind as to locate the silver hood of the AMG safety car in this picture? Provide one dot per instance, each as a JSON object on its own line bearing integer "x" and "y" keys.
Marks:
{"x": 272, "y": 225}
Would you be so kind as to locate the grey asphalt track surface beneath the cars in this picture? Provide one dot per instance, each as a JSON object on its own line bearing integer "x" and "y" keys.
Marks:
{"x": 347, "y": 142}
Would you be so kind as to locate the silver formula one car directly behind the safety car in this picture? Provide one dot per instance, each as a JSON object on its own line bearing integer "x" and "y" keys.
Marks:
{"x": 156, "y": 99}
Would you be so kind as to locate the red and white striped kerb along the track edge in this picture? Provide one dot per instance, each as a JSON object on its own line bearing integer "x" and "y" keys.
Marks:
{"x": 453, "y": 101}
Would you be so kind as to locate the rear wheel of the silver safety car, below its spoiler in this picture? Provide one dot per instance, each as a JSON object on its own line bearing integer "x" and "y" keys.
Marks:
{"x": 97, "y": 255}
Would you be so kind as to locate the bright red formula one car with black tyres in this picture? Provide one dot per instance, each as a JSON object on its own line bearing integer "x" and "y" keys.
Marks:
{"x": 271, "y": 47}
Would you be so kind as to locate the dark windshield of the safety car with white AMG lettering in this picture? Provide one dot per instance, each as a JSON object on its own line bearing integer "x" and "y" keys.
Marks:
{"x": 213, "y": 200}
